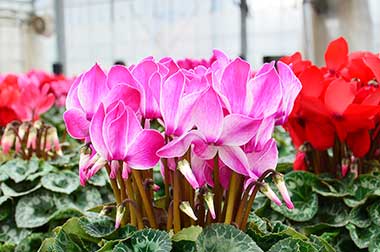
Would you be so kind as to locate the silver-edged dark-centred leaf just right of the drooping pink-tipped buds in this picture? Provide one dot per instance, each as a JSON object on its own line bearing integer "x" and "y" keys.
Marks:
{"x": 305, "y": 200}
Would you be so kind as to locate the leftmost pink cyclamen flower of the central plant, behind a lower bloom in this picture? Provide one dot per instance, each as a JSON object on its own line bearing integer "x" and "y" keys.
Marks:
{"x": 89, "y": 90}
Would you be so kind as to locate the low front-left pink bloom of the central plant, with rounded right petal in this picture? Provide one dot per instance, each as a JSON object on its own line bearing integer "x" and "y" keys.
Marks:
{"x": 116, "y": 135}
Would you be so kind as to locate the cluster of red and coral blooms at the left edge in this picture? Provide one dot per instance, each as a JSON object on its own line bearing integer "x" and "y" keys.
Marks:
{"x": 24, "y": 97}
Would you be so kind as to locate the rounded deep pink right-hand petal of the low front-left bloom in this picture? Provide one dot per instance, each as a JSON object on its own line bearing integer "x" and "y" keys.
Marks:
{"x": 142, "y": 153}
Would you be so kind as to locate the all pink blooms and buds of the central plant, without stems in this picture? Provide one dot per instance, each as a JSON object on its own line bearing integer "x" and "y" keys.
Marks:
{"x": 225, "y": 112}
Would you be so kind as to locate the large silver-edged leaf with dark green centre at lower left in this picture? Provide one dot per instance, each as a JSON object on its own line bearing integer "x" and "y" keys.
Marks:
{"x": 35, "y": 209}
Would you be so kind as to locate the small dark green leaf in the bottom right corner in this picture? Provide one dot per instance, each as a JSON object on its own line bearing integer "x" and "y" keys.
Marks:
{"x": 362, "y": 236}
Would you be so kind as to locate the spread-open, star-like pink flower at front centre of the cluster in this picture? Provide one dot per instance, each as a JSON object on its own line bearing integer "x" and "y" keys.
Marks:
{"x": 215, "y": 134}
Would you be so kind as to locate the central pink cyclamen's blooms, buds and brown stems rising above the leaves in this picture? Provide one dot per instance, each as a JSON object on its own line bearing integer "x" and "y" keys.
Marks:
{"x": 214, "y": 151}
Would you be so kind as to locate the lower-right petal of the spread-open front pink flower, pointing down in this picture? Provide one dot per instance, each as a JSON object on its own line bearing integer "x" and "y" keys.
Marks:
{"x": 234, "y": 158}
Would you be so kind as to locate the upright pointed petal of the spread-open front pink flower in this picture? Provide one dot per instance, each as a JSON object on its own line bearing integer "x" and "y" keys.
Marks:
{"x": 209, "y": 115}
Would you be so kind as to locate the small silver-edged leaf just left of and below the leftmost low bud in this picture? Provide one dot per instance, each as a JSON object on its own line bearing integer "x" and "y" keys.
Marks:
{"x": 99, "y": 226}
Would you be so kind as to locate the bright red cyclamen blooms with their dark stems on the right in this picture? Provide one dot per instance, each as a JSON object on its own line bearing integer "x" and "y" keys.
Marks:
{"x": 334, "y": 123}
